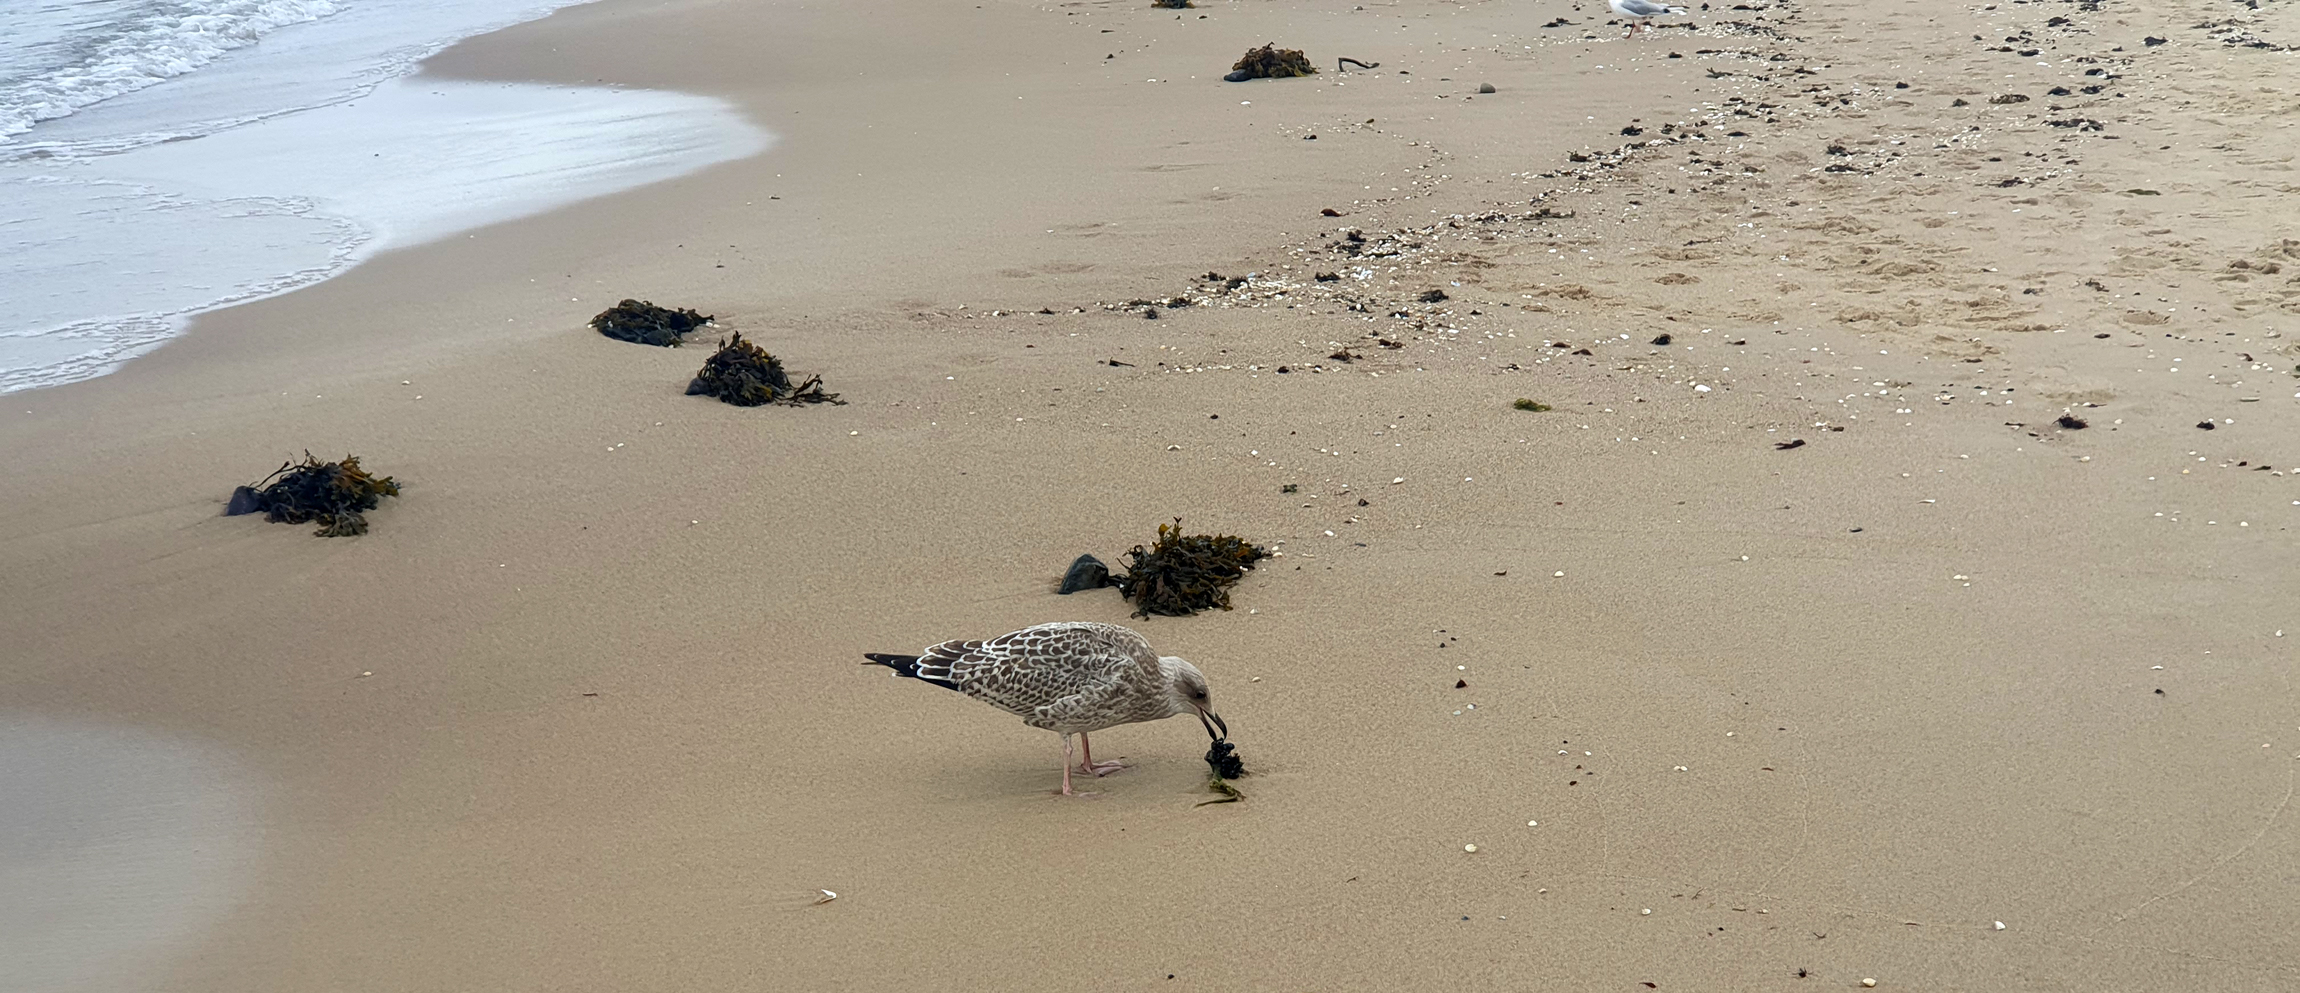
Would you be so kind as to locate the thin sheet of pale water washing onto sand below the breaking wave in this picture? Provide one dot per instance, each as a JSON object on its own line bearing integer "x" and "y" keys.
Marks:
{"x": 266, "y": 194}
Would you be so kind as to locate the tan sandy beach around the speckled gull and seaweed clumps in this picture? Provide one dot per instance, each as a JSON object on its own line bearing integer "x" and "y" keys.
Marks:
{"x": 585, "y": 709}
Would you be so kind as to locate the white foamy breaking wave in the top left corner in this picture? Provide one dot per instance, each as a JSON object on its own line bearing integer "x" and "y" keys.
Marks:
{"x": 144, "y": 49}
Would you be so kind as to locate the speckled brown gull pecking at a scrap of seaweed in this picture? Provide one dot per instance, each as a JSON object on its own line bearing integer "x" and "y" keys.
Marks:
{"x": 1071, "y": 679}
